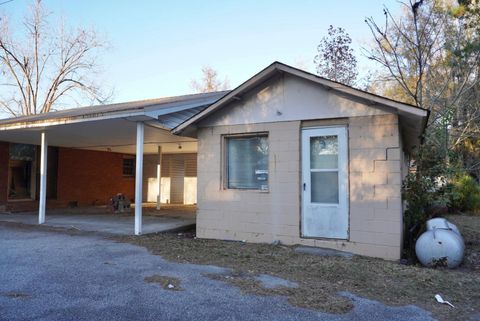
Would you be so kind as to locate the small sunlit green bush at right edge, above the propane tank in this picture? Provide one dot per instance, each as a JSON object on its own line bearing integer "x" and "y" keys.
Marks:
{"x": 465, "y": 194}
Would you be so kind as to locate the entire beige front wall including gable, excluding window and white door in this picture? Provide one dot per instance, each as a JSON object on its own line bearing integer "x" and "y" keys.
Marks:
{"x": 282, "y": 107}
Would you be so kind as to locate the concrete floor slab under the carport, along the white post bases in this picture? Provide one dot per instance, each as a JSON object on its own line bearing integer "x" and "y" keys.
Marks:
{"x": 121, "y": 224}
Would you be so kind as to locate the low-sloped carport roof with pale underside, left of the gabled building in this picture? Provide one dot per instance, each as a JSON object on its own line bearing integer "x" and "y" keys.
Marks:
{"x": 113, "y": 127}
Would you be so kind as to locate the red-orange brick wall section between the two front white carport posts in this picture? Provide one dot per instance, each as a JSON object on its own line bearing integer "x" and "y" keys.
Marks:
{"x": 91, "y": 177}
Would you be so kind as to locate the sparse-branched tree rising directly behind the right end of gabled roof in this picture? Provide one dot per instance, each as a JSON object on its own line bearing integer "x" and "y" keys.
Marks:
{"x": 407, "y": 47}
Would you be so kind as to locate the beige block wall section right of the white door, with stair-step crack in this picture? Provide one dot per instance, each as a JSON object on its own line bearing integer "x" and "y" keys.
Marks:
{"x": 375, "y": 185}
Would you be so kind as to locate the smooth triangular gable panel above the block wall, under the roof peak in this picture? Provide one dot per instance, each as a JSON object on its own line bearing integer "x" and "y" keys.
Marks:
{"x": 288, "y": 98}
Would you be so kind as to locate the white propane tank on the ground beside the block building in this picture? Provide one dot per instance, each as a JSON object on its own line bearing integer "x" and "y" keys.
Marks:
{"x": 440, "y": 246}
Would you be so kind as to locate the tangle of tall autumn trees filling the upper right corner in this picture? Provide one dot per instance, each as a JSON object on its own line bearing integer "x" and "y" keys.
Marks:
{"x": 431, "y": 58}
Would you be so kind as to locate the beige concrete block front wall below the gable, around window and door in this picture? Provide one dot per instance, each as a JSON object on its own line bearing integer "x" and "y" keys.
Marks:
{"x": 264, "y": 216}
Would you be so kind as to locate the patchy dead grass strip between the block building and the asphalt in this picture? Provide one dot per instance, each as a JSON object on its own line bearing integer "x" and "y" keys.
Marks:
{"x": 321, "y": 278}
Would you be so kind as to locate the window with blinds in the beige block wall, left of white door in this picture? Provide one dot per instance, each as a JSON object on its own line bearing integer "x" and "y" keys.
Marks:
{"x": 247, "y": 162}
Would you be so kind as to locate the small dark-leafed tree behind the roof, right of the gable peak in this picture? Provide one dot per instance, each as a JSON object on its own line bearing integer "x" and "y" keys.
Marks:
{"x": 336, "y": 59}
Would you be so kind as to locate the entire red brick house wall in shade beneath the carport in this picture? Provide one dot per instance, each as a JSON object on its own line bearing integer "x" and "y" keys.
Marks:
{"x": 87, "y": 177}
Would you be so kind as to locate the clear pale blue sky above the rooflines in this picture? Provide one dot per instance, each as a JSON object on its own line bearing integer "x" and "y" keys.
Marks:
{"x": 156, "y": 48}
